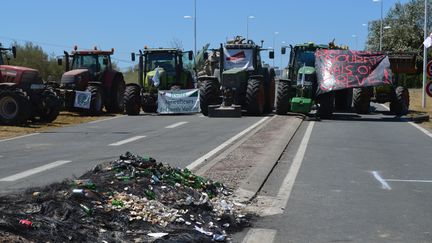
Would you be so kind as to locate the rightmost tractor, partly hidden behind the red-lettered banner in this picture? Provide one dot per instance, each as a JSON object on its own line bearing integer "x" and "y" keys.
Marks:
{"x": 396, "y": 94}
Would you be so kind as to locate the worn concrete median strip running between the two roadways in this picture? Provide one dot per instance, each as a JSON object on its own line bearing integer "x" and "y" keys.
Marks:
{"x": 247, "y": 166}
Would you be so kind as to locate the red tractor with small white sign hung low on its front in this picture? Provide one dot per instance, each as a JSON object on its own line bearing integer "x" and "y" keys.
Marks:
{"x": 90, "y": 82}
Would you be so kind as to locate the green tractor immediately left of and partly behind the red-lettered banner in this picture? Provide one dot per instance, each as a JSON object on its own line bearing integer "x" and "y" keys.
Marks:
{"x": 296, "y": 91}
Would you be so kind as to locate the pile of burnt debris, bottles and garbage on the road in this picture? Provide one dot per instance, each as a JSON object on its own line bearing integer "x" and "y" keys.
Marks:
{"x": 132, "y": 199}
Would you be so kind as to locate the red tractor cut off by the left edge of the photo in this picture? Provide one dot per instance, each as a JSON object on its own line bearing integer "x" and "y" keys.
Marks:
{"x": 23, "y": 95}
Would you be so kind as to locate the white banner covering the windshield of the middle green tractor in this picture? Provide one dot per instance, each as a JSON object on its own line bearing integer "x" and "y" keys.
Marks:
{"x": 238, "y": 58}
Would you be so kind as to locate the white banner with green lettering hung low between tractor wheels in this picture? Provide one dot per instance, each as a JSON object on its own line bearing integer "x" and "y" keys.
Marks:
{"x": 178, "y": 101}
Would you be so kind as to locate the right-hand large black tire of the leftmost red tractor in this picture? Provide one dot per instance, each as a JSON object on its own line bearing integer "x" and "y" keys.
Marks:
{"x": 51, "y": 105}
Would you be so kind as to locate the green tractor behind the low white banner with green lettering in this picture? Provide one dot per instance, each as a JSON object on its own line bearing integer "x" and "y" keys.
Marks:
{"x": 158, "y": 69}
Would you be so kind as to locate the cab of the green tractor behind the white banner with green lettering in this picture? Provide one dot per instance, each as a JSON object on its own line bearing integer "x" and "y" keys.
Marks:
{"x": 165, "y": 68}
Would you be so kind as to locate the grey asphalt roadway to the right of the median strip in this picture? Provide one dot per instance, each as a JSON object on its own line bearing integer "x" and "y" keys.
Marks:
{"x": 352, "y": 179}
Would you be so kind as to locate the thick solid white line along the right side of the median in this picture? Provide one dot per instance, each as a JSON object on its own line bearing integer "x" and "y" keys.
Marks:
{"x": 285, "y": 190}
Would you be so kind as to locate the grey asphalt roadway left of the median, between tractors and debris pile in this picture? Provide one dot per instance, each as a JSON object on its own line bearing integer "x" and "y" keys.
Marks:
{"x": 63, "y": 153}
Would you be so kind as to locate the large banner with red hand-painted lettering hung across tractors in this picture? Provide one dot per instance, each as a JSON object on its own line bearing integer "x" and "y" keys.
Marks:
{"x": 341, "y": 69}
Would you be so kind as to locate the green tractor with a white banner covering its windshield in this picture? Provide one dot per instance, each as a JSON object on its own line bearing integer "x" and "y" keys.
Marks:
{"x": 240, "y": 82}
